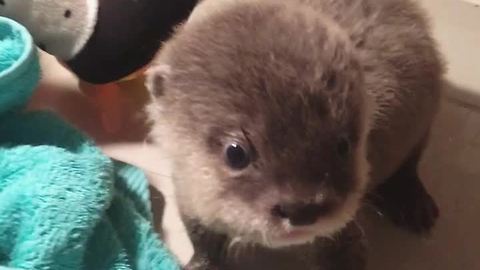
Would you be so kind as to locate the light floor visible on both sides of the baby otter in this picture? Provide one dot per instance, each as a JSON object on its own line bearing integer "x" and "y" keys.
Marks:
{"x": 450, "y": 166}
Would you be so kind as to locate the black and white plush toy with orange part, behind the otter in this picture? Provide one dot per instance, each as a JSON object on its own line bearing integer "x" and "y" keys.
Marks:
{"x": 101, "y": 41}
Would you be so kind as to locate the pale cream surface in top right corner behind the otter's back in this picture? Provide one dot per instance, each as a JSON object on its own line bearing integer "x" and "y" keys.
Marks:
{"x": 457, "y": 28}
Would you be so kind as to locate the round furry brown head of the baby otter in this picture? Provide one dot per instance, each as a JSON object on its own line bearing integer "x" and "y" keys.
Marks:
{"x": 261, "y": 109}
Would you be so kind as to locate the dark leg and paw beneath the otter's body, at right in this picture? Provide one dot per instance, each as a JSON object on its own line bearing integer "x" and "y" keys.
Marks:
{"x": 404, "y": 199}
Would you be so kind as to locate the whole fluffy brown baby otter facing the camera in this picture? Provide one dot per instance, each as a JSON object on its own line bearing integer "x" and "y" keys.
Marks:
{"x": 280, "y": 117}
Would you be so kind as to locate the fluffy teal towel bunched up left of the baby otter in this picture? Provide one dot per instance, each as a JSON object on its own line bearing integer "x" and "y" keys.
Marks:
{"x": 63, "y": 204}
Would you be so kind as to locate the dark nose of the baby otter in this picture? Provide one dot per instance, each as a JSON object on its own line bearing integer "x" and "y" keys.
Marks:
{"x": 301, "y": 214}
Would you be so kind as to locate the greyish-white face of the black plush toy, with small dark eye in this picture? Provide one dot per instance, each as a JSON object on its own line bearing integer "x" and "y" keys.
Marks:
{"x": 60, "y": 27}
